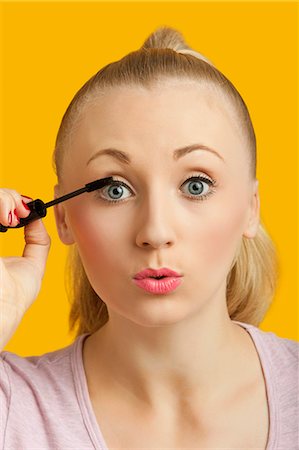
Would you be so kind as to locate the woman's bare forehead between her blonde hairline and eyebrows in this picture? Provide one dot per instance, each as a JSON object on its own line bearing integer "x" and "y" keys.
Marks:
{"x": 168, "y": 115}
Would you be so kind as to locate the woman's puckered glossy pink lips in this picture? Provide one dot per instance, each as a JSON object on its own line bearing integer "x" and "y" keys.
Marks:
{"x": 145, "y": 280}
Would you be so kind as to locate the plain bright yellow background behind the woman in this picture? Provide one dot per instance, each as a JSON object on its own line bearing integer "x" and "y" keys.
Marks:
{"x": 50, "y": 49}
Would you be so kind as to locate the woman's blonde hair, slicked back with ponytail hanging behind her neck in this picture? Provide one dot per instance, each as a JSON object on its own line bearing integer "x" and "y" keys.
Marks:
{"x": 251, "y": 281}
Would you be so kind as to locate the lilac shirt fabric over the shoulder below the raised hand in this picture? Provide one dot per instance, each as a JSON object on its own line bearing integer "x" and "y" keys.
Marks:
{"x": 40, "y": 393}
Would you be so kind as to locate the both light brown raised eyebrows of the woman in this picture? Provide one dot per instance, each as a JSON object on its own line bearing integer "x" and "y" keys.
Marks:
{"x": 124, "y": 158}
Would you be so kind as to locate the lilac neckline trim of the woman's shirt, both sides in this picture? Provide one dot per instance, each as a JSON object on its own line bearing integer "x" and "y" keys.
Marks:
{"x": 89, "y": 417}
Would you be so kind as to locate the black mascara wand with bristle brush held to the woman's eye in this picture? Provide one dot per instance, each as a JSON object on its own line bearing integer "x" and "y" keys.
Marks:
{"x": 39, "y": 209}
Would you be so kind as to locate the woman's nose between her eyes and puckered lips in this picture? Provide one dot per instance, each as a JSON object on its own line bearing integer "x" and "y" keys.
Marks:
{"x": 156, "y": 223}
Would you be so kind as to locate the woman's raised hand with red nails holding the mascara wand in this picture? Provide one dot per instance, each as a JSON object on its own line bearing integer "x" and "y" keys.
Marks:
{"x": 20, "y": 276}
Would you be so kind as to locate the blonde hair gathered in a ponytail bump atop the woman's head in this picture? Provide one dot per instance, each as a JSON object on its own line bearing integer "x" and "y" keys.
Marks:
{"x": 167, "y": 37}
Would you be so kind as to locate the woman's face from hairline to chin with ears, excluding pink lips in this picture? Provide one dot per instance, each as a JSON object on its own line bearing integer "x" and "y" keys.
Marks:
{"x": 159, "y": 219}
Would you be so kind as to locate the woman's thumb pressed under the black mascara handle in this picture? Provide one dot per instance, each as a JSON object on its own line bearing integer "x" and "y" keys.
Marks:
{"x": 37, "y": 244}
